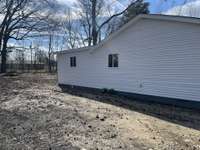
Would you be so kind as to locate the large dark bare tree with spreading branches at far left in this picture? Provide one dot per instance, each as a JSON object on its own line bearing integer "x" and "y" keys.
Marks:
{"x": 19, "y": 19}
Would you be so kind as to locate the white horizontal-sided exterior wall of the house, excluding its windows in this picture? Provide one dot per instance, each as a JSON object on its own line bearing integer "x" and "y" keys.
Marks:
{"x": 155, "y": 58}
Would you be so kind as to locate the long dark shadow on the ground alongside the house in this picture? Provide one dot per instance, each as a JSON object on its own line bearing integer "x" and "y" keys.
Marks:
{"x": 178, "y": 115}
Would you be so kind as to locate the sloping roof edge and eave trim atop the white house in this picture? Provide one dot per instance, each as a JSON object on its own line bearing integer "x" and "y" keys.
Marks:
{"x": 173, "y": 18}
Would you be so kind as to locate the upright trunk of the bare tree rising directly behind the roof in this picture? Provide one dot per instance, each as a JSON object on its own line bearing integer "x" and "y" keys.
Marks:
{"x": 94, "y": 23}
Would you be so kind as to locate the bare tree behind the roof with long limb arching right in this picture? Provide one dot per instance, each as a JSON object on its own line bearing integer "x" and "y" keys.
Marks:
{"x": 91, "y": 12}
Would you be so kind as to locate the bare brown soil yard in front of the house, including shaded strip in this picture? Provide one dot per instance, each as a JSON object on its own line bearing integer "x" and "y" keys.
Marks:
{"x": 36, "y": 114}
